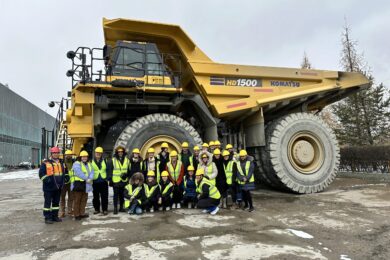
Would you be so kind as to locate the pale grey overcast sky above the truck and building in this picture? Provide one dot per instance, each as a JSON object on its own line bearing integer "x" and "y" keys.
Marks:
{"x": 35, "y": 35}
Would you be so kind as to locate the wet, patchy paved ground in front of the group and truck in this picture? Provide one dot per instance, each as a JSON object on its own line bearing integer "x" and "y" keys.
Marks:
{"x": 350, "y": 220}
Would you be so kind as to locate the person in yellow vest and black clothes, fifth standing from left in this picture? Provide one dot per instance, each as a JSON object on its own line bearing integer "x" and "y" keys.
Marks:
{"x": 118, "y": 175}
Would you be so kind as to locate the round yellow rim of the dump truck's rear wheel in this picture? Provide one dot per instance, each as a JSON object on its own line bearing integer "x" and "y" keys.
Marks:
{"x": 306, "y": 152}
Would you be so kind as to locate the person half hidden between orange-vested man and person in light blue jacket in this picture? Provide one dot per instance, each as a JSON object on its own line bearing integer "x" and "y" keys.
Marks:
{"x": 68, "y": 162}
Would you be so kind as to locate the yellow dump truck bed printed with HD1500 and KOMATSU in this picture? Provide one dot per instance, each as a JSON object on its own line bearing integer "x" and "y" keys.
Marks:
{"x": 231, "y": 90}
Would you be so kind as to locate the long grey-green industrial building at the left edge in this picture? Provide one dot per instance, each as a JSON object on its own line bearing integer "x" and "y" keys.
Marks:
{"x": 21, "y": 125}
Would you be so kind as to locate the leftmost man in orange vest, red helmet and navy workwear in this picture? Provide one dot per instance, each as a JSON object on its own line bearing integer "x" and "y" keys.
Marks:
{"x": 52, "y": 177}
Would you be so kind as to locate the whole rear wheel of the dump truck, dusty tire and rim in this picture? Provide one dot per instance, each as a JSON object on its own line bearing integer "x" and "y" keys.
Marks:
{"x": 291, "y": 141}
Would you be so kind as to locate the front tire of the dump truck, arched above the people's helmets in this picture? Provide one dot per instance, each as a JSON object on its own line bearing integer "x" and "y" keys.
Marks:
{"x": 138, "y": 132}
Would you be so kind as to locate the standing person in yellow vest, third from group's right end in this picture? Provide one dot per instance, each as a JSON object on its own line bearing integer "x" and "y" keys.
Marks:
{"x": 230, "y": 167}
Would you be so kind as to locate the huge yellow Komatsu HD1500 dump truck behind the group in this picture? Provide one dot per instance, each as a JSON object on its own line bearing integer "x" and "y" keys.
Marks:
{"x": 151, "y": 83}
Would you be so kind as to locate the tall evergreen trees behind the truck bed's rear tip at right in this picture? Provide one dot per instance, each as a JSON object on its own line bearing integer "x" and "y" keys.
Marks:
{"x": 364, "y": 116}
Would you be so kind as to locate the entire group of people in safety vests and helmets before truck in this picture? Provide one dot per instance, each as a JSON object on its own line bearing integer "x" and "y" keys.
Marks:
{"x": 205, "y": 178}
